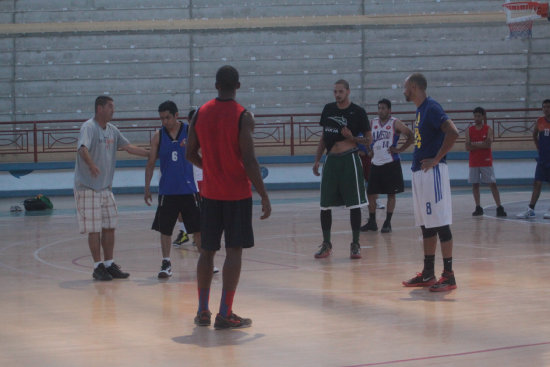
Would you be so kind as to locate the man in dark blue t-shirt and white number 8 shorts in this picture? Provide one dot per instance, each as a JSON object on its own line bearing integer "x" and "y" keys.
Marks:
{"x": 434, "y": 136}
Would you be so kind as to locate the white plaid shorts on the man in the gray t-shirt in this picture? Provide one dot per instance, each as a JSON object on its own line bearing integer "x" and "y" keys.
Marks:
{"x": 95, "y": 210}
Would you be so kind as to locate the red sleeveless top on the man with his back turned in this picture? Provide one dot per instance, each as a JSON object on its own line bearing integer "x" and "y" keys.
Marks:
{"x": 217, "y": 128}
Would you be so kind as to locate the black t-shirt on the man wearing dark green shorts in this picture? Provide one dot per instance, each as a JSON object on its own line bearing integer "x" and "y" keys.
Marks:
{"x": 333, "y": 119}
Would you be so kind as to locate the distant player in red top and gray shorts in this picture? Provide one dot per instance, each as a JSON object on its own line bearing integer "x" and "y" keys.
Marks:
{"x": 479, "y": 138}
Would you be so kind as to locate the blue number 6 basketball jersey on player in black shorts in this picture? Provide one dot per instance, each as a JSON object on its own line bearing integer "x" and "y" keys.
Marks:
{"x": 176, "y": 172}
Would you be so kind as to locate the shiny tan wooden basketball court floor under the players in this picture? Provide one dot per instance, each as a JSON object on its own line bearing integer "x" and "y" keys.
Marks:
{"x": 306, "y": 312}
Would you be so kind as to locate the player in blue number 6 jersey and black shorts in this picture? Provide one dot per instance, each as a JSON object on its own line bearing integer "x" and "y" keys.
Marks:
{"x": 176, "y": 187}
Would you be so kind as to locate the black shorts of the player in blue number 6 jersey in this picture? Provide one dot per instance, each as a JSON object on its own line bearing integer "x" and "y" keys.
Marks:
{"x": 167, "y": 213}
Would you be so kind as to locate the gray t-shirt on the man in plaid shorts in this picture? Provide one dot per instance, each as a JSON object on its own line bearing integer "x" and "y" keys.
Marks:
{"x": 102, "y": 145}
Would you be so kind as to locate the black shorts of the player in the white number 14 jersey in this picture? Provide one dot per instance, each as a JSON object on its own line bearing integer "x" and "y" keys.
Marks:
{"x": 386, "y": 179}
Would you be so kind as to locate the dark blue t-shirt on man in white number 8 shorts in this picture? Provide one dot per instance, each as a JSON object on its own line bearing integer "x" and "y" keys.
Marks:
{"x": 428, "y": 136}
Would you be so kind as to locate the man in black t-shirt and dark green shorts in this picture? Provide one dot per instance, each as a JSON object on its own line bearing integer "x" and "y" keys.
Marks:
{"x": 342, "y": 183}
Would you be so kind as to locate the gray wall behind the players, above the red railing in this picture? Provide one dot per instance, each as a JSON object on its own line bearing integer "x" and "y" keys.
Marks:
{"x": 57, "y": 75}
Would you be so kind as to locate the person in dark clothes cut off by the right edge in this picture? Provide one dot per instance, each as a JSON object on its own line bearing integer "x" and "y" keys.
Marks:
{"x": 541, "y": 138}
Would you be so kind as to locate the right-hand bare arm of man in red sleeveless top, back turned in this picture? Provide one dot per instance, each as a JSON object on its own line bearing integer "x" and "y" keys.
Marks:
{"x": 250, "y": 162}
